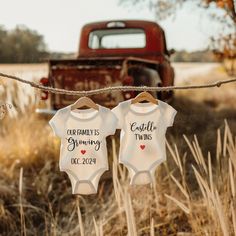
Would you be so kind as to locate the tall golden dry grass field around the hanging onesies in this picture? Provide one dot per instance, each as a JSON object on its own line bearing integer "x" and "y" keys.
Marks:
{"x": 194, "y": 192}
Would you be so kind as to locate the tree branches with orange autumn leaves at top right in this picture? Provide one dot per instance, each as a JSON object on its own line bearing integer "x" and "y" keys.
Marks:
{"x": 224, "y": 45}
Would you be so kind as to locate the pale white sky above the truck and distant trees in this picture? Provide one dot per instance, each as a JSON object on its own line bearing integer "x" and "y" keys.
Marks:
{"x": 60, "y": 21}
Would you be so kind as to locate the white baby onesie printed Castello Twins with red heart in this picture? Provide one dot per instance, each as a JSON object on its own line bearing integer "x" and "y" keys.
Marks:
{"x": 142, "y": 139}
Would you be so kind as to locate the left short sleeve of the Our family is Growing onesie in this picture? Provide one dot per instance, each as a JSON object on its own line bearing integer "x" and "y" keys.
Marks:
{"x": 57, "y": 123}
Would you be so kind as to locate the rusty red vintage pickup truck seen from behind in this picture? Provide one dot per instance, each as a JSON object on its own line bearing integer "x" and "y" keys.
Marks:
{"x": 112, "y": 53}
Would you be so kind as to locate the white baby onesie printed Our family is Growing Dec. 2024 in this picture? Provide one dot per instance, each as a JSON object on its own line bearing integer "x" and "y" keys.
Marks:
{"x": 83, "y": 152}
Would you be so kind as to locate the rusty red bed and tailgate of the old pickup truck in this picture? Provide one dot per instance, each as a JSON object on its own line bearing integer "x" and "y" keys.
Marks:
{"x": 88, "y": 74}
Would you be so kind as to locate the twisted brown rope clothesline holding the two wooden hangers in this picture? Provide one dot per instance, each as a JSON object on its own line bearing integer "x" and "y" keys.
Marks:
{"x": 115, "y": 88}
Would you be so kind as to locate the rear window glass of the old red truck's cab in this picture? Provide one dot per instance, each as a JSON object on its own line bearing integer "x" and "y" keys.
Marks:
{"x": 117, "y": 38}
